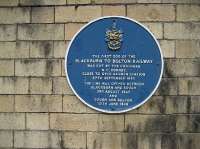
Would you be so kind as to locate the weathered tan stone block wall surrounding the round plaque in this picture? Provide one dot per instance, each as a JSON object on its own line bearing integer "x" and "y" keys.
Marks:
{"x": 37, "y": 107}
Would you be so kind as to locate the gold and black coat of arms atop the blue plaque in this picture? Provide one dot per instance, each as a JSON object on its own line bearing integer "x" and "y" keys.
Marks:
{"x": 114, "y": 37}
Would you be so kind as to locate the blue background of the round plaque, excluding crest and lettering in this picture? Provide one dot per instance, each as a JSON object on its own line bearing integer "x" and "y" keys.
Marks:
{"x": 136, "y": 40}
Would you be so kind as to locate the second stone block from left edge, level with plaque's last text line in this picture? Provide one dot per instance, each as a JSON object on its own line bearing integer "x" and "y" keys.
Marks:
{"x": 38, "y": 103}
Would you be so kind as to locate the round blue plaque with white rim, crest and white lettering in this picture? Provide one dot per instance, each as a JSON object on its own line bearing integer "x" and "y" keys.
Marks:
{"x": 114, "y": 64}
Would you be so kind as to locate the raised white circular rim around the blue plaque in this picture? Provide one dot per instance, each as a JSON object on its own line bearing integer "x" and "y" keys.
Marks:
{"x": 120, "y": 111}
